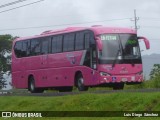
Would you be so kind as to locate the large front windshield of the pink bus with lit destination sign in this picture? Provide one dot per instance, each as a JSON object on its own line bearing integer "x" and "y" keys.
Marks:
{"x": 123, "y": 47}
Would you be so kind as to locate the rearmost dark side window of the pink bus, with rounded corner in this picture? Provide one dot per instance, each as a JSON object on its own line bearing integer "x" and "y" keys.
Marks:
{"x": 18, "y": 49}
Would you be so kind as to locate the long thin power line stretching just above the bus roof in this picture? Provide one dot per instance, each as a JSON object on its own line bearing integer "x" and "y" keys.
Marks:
{"x": 62, "y": 24}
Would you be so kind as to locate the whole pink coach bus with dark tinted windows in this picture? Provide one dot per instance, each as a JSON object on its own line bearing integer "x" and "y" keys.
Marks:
{"x": 77, "y": 56}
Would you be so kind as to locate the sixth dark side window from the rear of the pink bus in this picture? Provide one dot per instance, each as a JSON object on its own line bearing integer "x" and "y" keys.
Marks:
{"x": 68, "y": 42}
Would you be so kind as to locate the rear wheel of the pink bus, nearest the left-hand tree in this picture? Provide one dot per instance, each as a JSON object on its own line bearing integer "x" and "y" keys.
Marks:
{"x": 32, "y": 88}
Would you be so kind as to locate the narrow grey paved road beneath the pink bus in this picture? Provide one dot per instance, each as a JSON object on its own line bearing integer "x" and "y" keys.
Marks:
{"x": 26, "y": 93}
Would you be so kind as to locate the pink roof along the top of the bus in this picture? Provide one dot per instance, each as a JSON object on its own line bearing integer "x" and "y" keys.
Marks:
{"x": 96, "y": 29}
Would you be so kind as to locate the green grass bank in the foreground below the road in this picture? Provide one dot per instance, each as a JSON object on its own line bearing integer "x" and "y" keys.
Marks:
{"x": 84, "y": 102}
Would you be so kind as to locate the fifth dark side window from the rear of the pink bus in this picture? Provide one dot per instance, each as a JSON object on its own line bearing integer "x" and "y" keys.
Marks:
{"x": 57, "y": 44}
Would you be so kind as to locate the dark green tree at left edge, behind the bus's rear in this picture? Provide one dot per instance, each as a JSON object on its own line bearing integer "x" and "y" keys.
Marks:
{"x": 5, "y": 56}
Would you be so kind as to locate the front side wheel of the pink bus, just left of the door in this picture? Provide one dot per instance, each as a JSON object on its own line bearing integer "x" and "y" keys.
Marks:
{"x": 80, "y": 83}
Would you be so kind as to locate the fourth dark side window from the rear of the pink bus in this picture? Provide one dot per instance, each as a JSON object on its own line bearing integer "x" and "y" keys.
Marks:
{"x": 45, "y": 45}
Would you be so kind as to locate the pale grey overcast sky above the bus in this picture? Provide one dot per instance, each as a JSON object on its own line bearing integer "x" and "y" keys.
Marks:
{"x": 56, "y": 14}
